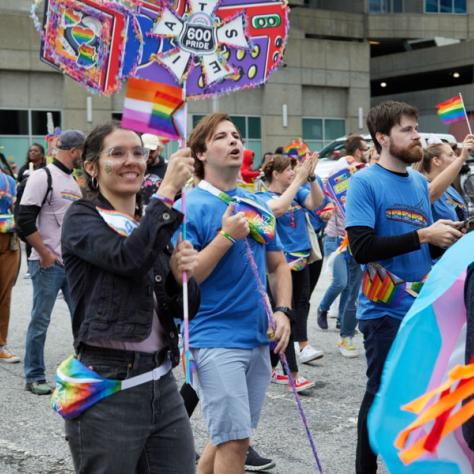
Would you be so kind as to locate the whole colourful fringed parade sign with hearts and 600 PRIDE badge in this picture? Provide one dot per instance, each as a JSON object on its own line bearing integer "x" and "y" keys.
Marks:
{"x": 212, "y": 46}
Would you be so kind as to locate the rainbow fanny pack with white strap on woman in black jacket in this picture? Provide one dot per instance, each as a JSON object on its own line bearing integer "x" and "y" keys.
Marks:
{"x": 78, "y": 387}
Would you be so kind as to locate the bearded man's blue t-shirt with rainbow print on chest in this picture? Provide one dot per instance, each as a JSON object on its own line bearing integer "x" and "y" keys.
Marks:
{"x": 391, "y": 205}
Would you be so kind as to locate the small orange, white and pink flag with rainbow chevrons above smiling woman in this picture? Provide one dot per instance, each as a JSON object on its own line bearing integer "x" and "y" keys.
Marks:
{"x": 154, "y": 107}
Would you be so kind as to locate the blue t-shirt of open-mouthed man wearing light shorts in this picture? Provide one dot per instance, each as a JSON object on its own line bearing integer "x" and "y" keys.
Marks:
{"x": 231, "y": 314}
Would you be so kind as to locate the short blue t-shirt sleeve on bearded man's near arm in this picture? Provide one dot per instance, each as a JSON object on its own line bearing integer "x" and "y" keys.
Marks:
{"x": 360, "y": 204}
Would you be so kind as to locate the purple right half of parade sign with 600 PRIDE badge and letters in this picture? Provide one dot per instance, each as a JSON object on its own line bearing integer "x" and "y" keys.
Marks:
{"x": 221, "y": 46}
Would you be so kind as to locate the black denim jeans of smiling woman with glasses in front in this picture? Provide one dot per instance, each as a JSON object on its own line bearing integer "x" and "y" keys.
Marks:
{"x": 144, "y": 429}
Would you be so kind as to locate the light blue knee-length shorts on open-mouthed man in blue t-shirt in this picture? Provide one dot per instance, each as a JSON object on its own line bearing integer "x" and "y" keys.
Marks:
{"x": 231, "y": 386}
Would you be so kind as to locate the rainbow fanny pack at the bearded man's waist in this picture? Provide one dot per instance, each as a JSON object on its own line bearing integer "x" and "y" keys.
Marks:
{"x": 381, "y": 286}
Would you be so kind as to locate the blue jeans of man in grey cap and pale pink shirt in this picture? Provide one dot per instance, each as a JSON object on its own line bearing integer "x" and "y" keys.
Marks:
{"x": 46, "y": 285}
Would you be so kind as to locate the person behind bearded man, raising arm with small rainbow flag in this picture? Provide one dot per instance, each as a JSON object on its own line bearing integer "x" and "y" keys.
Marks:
{"x": 441, "y": 166}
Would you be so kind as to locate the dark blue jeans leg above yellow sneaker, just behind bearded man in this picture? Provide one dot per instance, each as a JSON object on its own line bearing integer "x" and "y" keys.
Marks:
{"x": 347, "y": 310}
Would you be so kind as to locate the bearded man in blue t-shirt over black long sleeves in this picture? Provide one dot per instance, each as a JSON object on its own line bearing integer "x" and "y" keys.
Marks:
{"x": 390, "y": 231}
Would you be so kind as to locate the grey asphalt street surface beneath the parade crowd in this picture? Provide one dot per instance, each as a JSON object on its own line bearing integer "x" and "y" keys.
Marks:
{"x": 32, "y": 435}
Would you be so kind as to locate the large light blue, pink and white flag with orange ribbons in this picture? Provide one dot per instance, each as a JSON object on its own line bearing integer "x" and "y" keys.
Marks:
{"x": 415, "y": 421}
